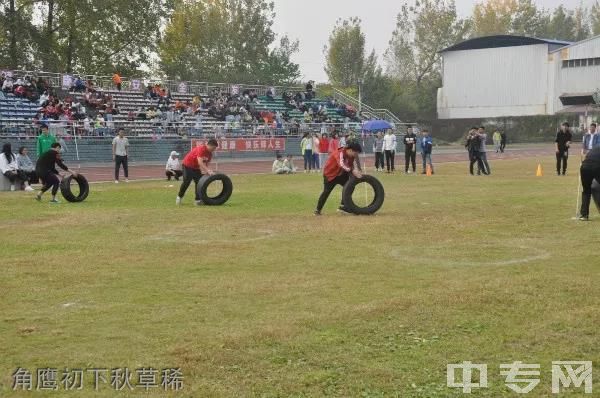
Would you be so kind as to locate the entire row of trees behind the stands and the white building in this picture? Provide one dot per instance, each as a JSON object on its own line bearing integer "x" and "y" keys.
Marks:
{"x": 234, "y": 41}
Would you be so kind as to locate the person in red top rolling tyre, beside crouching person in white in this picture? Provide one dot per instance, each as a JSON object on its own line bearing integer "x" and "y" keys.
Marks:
{"x": 195, "y": 164}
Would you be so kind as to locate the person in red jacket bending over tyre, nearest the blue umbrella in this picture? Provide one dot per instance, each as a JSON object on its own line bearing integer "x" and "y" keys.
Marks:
{"x": 337, "y": 170}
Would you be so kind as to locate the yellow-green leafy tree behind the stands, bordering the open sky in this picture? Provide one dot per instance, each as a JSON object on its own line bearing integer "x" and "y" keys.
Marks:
{"x": 226, "y": 40}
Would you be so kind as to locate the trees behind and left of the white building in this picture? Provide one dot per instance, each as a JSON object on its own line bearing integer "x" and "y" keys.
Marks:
{"x": 407, "y": 79}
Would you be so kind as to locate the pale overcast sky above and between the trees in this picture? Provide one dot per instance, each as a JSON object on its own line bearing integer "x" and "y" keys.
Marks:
{"x": 311, "y": 21}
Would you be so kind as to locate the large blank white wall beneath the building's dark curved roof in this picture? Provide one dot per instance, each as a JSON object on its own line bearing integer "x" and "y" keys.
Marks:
{"x": 494, "y": 82}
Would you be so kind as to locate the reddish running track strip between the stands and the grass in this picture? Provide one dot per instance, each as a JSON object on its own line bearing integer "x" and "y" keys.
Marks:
{"x": 105, "y": 172}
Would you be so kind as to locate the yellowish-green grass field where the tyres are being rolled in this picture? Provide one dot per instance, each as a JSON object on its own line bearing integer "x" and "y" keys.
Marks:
{"x": 261, "y": 298}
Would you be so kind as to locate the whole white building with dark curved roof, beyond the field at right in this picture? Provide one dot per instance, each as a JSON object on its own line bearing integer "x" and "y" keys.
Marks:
{"x": 501, "y": 76}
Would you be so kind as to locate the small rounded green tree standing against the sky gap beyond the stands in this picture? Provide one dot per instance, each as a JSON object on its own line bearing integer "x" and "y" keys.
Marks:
{"x": 345, "y": 54}
